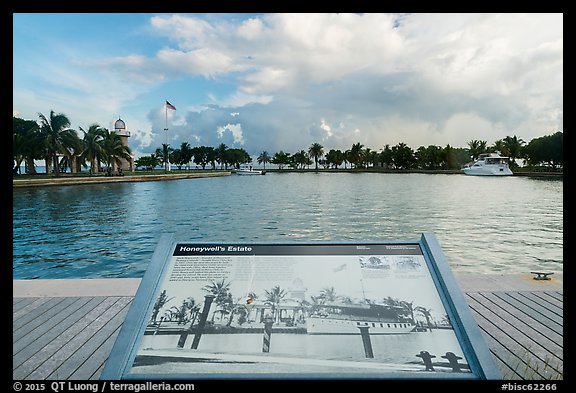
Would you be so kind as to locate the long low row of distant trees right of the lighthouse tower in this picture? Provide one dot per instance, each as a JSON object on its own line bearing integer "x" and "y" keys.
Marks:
{"x": 546, "y": 151}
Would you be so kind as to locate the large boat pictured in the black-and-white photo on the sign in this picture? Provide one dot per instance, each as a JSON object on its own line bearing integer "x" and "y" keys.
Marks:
{"x": 349, "y": 318}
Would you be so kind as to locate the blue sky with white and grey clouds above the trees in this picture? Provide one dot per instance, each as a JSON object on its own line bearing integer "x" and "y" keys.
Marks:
{"x": 271, "y": 82}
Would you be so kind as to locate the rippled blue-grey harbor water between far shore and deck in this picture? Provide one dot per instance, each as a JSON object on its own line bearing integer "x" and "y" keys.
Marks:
{"x": 483, "y": 224}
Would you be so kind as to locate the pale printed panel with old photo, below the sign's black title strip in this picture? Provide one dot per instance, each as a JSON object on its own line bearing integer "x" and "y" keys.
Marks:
{"x": 298, "y": 314}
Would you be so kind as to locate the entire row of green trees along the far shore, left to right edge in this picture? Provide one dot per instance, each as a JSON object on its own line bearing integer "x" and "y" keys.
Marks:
{"x": 51, "y": 139}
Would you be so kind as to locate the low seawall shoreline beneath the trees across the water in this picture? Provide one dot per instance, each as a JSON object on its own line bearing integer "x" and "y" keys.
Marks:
{"x": 83, "y": 178}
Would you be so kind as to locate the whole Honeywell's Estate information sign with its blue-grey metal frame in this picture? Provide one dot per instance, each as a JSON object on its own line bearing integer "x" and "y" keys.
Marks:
{"x": 314, "y": 310}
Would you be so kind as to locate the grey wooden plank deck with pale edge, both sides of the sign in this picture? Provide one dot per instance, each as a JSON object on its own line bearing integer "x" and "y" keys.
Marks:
{"x": 65, "y": 329}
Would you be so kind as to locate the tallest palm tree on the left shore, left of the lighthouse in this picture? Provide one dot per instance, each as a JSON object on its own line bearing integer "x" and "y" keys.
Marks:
{"x": 57, "y": 135}
